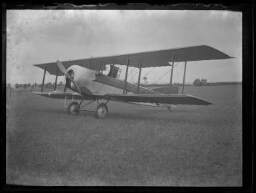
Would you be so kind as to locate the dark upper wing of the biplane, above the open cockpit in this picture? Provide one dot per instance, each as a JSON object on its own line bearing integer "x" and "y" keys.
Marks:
{"x": 146, "y": 59}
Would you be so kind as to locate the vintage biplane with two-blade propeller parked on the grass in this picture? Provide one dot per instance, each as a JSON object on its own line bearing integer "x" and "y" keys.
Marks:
{"x": 90, "y": 84}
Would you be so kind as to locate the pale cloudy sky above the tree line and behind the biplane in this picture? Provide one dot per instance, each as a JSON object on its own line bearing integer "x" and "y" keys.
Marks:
{"x": 40, "y": 36}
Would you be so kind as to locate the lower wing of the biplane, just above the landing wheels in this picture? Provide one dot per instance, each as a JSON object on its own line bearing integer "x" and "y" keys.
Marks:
{"x": 173, "y": 99}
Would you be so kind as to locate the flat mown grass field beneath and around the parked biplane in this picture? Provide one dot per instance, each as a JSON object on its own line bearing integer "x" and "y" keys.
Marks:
{"x": 135, "y": 145}
